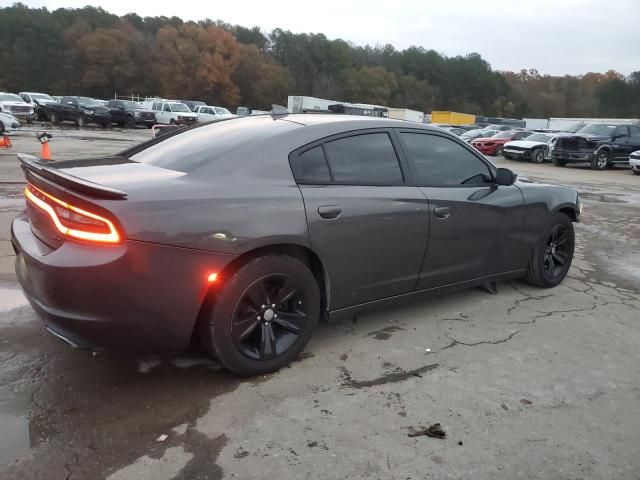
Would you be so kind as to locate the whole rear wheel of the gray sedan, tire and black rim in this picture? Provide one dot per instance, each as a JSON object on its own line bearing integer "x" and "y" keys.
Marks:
{"x": 263, "y": 316}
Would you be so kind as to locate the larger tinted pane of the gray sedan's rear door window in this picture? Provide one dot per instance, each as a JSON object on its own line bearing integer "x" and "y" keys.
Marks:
{"x": 368, "y": 159}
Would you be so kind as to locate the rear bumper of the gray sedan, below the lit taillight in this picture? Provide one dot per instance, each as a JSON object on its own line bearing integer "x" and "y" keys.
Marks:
{"x": 135, "y": 297}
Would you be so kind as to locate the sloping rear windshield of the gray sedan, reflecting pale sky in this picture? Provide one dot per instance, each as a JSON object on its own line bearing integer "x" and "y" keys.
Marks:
{"x": 193, "y": 148}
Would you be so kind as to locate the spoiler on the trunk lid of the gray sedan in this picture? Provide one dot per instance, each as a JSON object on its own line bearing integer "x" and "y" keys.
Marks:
{"x": 33, "y": 166}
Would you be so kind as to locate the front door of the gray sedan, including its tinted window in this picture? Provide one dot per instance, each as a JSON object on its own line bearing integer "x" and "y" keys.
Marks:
{"x": 475, "y": 226}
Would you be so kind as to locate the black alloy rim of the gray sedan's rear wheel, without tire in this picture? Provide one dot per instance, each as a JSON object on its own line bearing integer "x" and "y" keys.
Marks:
{"x": 269, "y": 317}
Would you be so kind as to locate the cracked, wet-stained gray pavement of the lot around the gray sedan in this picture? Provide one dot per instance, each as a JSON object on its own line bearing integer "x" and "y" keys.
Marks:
{"x": 526, "y": 383}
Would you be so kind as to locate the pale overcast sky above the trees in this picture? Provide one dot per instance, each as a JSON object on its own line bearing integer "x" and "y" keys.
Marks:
{"x": 553, "y": 36}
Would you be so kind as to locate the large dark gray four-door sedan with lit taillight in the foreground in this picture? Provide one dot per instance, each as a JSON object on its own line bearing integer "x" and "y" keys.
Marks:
{"x": 220, "y": 233}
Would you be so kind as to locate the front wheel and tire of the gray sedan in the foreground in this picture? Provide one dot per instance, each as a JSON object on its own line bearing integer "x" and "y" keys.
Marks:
{"x": 552, "y": 255}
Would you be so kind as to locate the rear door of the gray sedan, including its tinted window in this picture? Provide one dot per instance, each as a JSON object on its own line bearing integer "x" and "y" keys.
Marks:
{"x": 365, "y": 221}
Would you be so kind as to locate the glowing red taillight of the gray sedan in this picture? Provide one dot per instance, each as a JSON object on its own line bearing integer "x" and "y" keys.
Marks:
{"x": 71, "y": 221}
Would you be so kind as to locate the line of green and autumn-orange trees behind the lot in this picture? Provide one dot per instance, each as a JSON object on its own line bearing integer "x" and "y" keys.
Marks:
{"x": 92, "y": 52}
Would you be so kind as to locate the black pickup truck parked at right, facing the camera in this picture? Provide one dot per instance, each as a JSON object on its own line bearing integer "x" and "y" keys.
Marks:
{"x": 600, "y": 145}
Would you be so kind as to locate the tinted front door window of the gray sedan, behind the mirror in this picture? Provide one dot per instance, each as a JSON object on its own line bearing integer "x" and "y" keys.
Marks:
{"x": 441, "y": 161}
